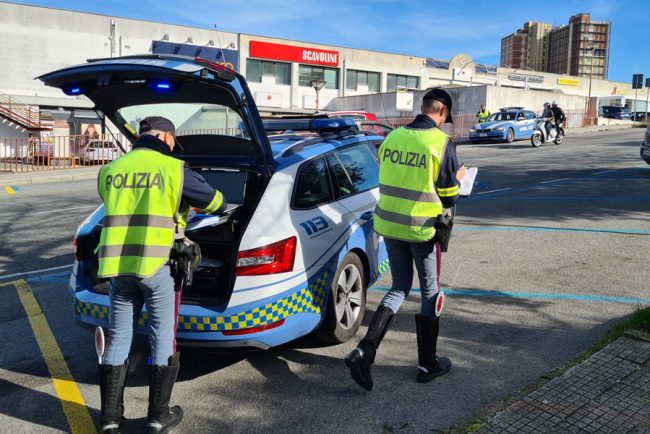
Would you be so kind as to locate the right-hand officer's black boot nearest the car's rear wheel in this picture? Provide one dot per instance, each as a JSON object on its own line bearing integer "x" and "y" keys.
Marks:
{"x": 363, "y": 356}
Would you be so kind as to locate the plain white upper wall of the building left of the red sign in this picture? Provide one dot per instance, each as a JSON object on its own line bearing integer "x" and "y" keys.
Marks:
{"x": 35, "y": 40}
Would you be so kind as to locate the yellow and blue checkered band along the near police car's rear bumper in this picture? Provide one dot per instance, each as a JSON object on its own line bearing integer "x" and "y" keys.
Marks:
{"x": 307, "y": 300}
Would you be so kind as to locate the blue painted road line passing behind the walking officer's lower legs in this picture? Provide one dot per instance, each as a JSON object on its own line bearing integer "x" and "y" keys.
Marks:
{"x": 533, "y": 295}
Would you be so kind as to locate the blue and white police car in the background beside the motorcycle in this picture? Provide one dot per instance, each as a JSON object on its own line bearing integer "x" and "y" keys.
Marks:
{"x": 508, "y": 124}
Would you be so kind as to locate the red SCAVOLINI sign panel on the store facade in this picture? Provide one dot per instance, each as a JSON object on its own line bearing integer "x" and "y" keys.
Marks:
{"x": 292, "y": 53}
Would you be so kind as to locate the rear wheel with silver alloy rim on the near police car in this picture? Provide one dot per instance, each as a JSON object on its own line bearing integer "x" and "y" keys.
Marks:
{"x": 346, "y": 302}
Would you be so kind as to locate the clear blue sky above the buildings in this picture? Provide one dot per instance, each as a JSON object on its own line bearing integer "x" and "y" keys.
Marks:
{"x": 427, "y": 28}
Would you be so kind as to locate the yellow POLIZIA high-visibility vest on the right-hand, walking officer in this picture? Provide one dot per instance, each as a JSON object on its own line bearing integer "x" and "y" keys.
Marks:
{"x": 409, "y": 167}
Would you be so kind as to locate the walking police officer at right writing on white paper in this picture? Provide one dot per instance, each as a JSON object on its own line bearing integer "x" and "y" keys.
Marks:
{"x": 418, "y": 176}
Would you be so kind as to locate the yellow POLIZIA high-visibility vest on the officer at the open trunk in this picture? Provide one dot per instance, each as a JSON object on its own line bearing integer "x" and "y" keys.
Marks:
{"x": 142, "y": 194}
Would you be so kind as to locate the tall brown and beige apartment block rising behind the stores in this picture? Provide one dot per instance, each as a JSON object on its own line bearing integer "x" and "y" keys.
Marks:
{"x": 580, "y": 48}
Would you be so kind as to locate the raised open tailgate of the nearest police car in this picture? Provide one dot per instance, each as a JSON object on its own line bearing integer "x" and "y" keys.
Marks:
{"x": 115, "y": 83}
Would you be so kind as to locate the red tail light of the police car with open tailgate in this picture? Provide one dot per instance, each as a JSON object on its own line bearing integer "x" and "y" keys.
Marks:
{"x": 271, "y": 259}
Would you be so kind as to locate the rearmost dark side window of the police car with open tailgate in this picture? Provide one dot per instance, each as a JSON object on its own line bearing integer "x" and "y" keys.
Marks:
{"x": 312, "y": 185}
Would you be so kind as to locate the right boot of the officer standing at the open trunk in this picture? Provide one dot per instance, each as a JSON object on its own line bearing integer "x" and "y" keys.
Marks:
{"x": 160, "y": 416}
